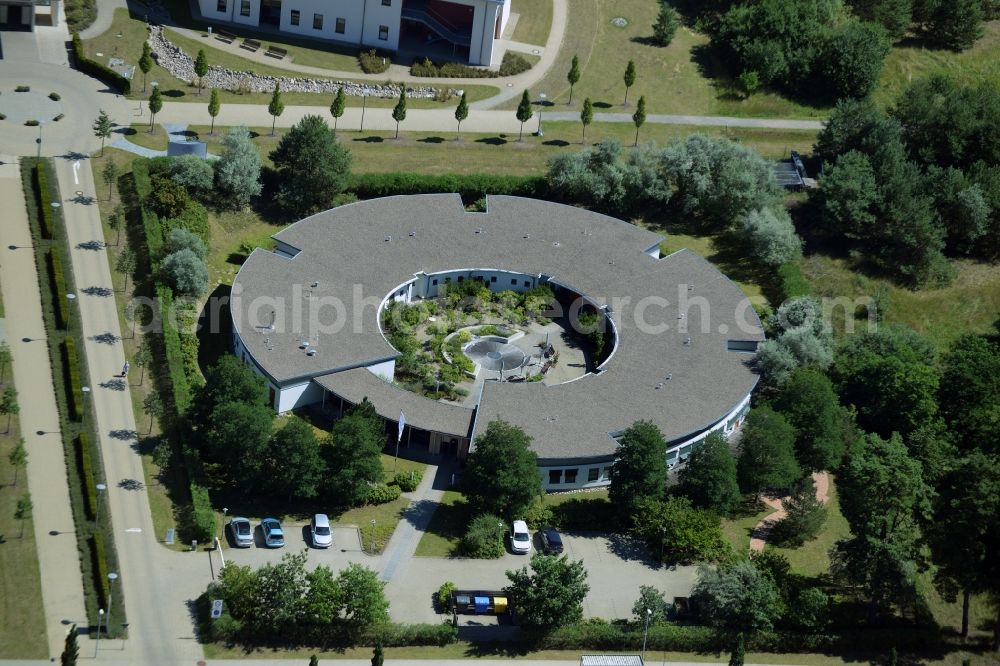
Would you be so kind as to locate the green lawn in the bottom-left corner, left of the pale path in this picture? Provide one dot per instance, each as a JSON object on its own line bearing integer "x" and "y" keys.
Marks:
{"x": 22, "y": 620}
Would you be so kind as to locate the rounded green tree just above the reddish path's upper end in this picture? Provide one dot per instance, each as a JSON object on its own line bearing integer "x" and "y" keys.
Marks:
{"x": 809, "y": 402}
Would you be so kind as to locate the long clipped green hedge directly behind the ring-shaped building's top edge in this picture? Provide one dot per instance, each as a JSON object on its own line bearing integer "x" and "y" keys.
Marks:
{"x": 471, "y": 186}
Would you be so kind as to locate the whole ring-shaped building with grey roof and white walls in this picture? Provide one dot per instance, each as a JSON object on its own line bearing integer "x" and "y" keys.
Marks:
{"x": 679, "y": 334}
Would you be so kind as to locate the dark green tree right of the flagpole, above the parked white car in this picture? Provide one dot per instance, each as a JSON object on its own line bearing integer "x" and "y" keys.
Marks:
{"x": 501, "y": 474}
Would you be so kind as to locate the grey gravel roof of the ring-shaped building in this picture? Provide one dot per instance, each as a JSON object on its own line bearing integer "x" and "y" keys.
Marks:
{"x": 345, "y": 249}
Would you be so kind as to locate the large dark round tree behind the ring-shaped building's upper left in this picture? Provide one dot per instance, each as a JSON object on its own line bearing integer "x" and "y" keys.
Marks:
{"x": 312, "y": 166}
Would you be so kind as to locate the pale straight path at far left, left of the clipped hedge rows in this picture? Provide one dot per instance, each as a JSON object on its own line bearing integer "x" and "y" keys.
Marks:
{"x": 58, "y": 556}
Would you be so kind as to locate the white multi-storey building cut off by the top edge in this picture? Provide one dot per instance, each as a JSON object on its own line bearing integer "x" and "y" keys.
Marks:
{"x": 469, "y": 27}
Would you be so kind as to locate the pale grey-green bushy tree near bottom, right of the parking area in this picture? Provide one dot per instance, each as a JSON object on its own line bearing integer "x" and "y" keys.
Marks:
{"x": 739, "y": 597}
